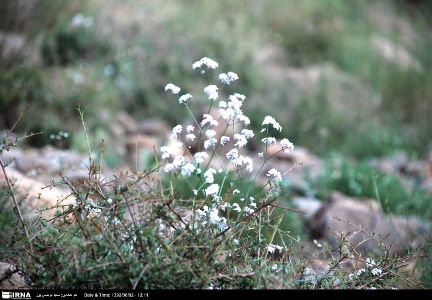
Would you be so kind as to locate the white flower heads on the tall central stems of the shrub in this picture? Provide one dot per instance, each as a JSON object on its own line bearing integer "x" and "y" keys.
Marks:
{"x": 231, "y": 112}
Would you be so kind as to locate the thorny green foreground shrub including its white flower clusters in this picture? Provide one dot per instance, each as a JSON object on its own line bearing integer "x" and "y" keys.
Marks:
{"x": 141, "y": 231}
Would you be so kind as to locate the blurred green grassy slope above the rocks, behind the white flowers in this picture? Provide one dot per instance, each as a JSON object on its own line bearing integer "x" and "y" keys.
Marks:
{"x": 344, "y": 76}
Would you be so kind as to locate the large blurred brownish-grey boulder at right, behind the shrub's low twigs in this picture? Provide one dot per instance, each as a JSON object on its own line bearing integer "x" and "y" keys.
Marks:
{"x": 401, "y": 233}
